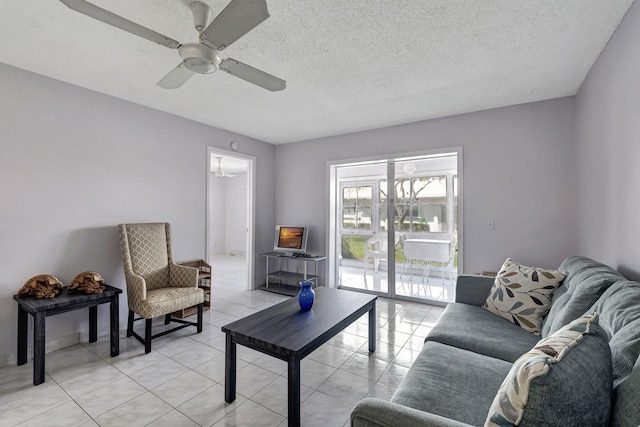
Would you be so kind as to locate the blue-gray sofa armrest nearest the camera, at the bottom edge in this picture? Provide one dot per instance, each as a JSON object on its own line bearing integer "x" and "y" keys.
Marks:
{"x": 372, "y": 412}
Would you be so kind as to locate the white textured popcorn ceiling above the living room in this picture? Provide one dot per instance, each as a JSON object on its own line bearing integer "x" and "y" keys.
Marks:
{"x": 349, "y": 65}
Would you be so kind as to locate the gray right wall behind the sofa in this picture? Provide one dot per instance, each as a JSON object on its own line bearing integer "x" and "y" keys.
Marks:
{"x": 608, "y": 152}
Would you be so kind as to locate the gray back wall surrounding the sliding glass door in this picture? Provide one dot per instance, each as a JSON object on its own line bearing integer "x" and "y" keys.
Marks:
{"x": 518, "y": 170}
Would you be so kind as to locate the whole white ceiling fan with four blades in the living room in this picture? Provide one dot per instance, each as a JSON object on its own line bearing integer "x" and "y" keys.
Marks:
{"x": 236, "y": 20}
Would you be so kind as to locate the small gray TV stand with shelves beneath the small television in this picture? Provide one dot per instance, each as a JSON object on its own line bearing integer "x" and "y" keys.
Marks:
{"x": 285, "y": 274}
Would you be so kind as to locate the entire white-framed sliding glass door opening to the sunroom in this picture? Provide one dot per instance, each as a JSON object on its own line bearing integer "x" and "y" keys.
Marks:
{"x": 397, "y": 225}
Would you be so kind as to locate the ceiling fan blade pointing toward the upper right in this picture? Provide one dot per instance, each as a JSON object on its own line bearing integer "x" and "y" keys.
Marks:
{"x": 236, "y": 20}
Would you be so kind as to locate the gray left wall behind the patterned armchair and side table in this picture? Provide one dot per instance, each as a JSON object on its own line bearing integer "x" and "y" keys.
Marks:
{"x": 74, "y": 164}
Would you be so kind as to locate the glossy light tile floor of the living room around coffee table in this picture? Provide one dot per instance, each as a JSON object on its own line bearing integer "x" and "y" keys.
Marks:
{"x": 181, "y": 382}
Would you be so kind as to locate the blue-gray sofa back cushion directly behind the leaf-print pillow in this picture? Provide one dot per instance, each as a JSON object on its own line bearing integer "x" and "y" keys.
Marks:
{"x": 586, "y": 280}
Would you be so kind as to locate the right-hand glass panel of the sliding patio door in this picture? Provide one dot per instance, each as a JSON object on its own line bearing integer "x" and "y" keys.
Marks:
{"x": 425, "y": 227}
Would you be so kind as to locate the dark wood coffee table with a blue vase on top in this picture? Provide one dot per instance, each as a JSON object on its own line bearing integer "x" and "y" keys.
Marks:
{"x": 286, "y": 332}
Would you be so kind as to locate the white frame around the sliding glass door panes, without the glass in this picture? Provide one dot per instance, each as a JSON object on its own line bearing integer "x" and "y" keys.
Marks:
{"x": 334, "y": 214}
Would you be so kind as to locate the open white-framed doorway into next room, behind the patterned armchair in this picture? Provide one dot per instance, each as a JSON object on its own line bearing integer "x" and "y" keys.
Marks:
{"x": 230, "y": 210}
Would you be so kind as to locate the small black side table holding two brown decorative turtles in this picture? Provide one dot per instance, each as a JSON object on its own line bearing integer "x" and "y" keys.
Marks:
{"x": 65, "y": 301}
